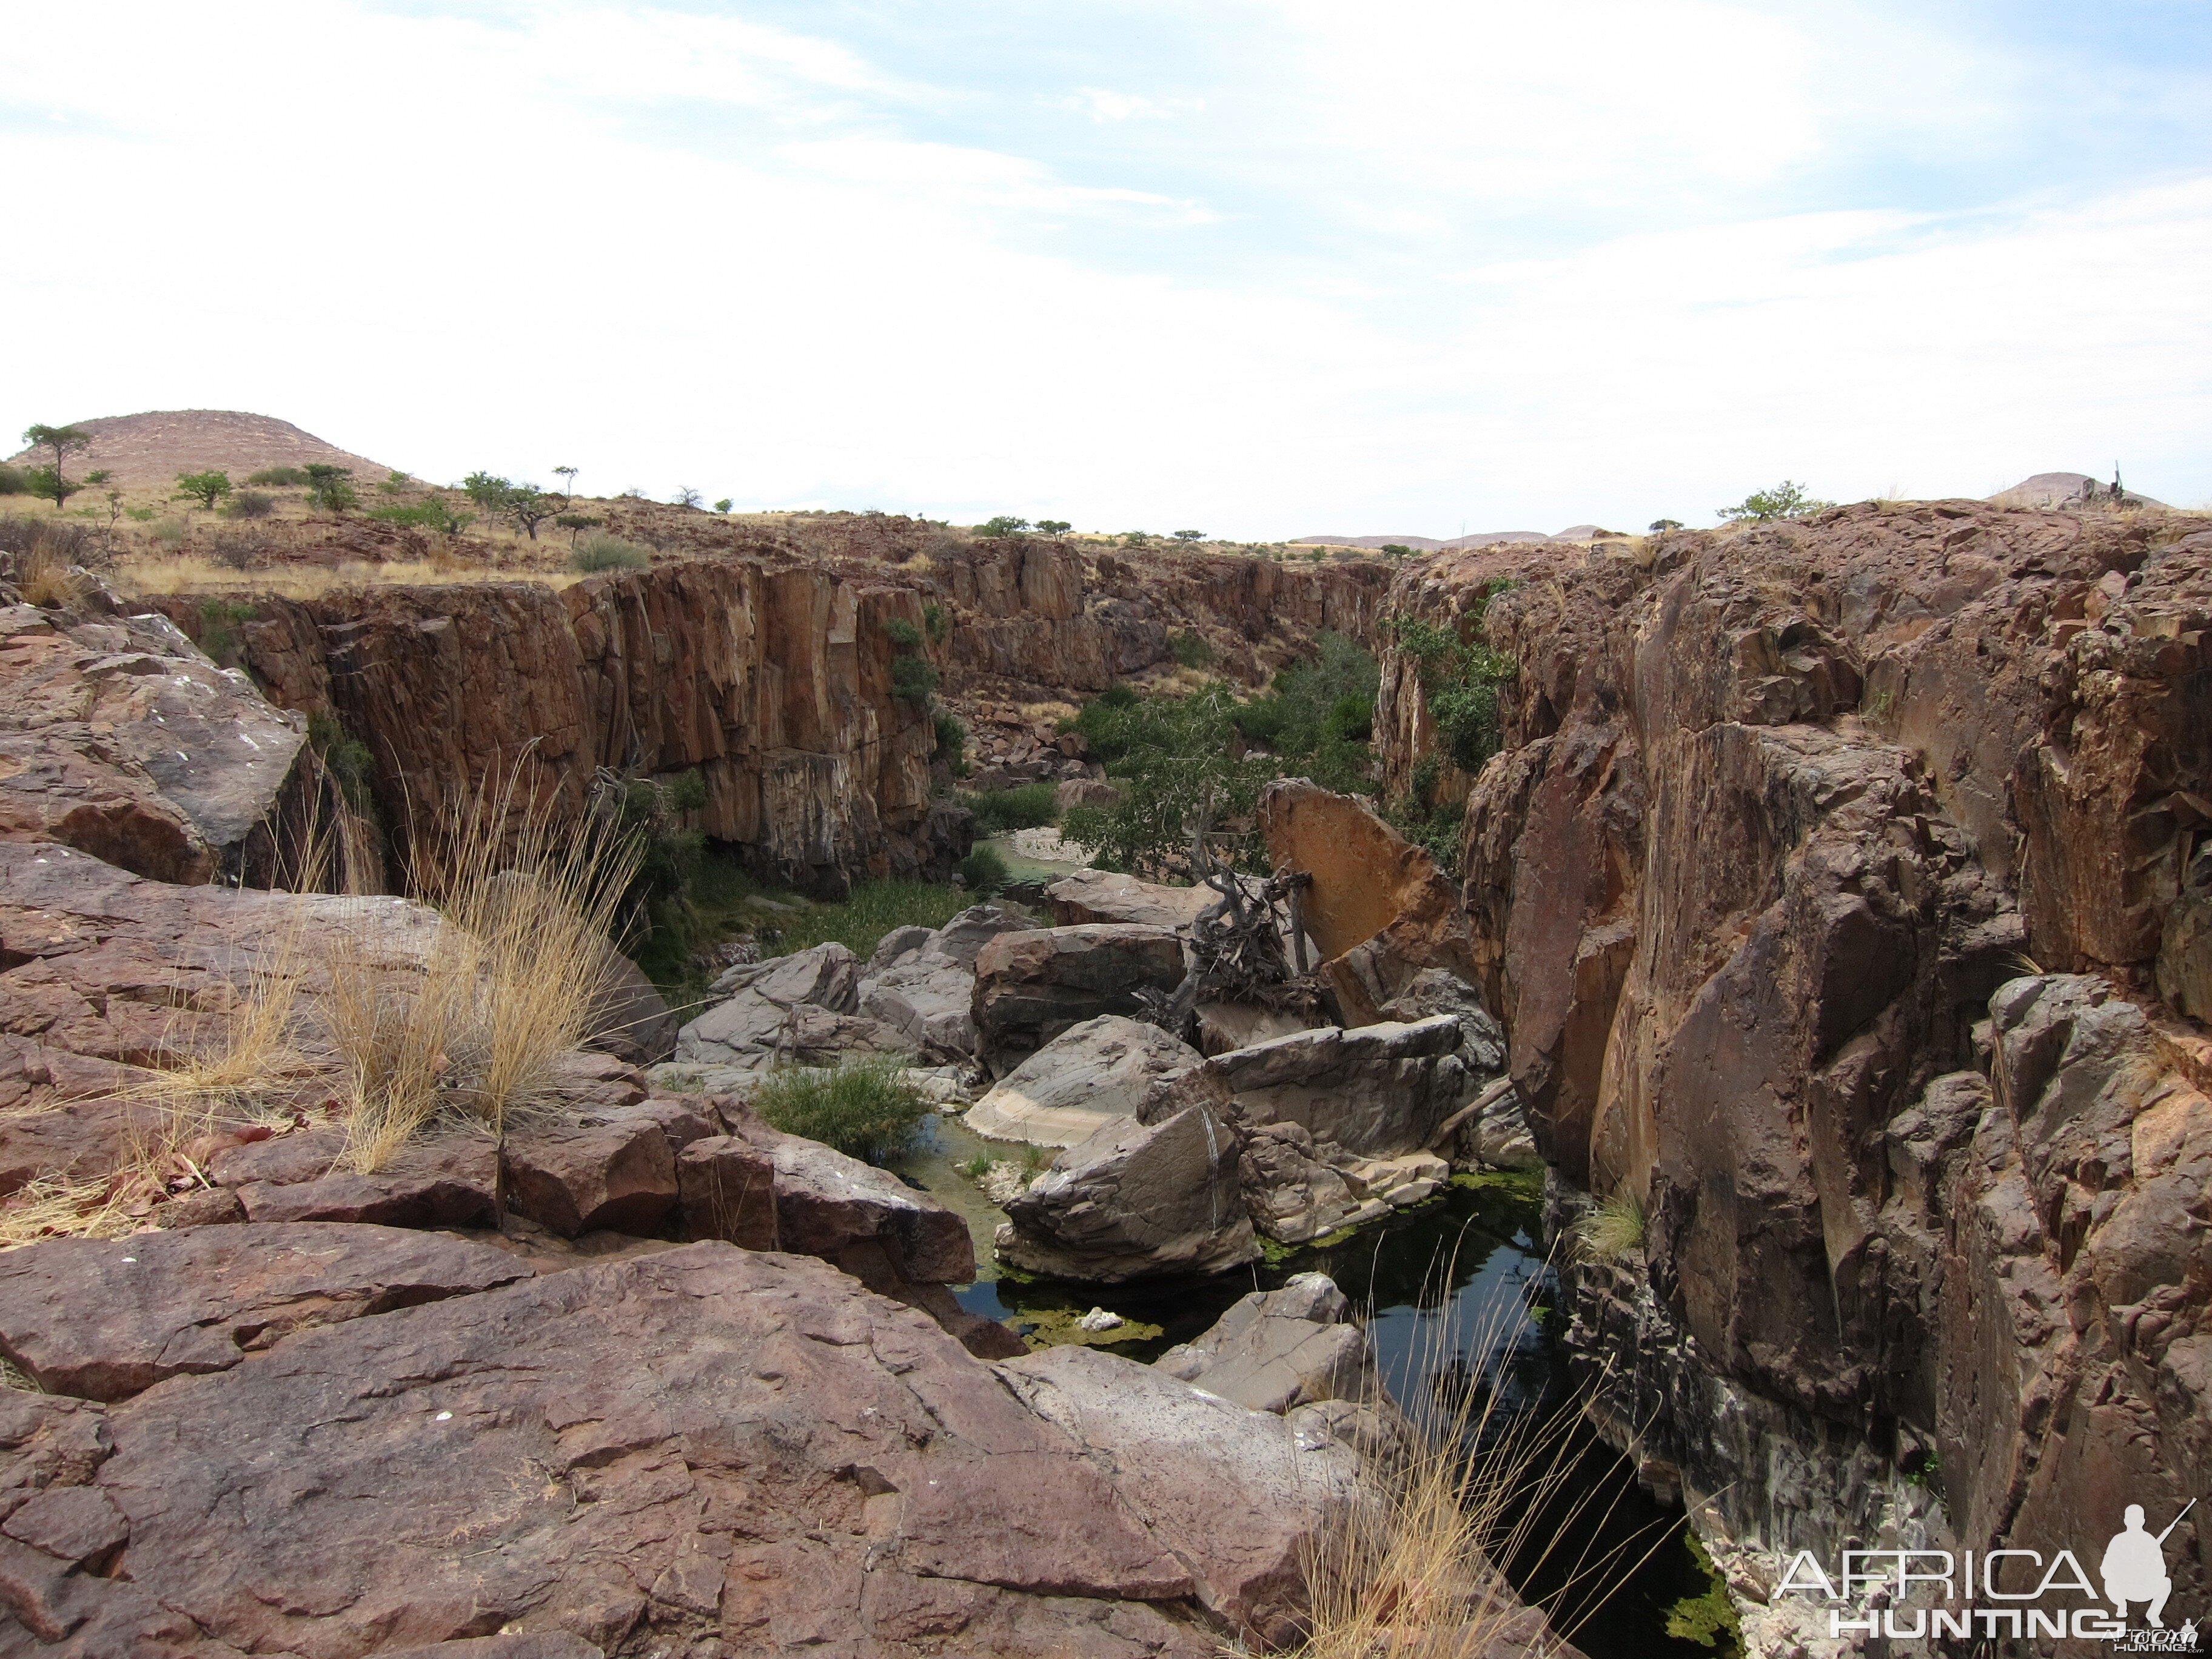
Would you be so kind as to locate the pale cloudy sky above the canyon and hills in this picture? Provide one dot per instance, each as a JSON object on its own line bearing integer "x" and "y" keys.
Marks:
{"x": 1262, "y": 269}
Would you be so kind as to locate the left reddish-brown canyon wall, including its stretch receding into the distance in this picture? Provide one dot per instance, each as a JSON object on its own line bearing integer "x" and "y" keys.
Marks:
{"x": 771, "y": 676}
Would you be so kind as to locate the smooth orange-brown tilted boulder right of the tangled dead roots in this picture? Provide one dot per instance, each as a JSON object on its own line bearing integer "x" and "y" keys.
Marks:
{"x": 1377, "y": 908}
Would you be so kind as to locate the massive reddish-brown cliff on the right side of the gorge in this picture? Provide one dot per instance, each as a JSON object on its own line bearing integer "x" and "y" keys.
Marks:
{"x": 1828, "y": 884}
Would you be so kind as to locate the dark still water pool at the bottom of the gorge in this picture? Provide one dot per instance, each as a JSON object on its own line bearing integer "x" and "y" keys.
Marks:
{"x": 1459, "y": 1297}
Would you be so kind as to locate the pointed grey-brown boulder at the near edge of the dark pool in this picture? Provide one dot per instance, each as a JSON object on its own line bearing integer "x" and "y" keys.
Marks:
{"x": 1136, "y": 1202}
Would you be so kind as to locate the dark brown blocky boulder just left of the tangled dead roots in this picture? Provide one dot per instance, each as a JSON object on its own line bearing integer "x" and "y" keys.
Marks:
{"x": 1034, "y": 985}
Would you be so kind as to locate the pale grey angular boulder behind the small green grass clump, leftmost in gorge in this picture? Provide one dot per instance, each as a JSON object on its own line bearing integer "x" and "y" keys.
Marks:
{"x": 791, "y": 1010}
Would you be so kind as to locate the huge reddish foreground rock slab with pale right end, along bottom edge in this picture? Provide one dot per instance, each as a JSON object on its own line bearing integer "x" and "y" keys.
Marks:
{"x": 640, "y": 1457}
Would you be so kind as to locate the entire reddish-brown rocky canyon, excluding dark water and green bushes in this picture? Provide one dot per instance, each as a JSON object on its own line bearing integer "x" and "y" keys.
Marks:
{"x": 1830, "y": 908}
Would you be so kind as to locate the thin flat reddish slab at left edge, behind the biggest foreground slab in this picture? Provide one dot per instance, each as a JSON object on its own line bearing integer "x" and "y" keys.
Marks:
{"x": 105, "y": 1319}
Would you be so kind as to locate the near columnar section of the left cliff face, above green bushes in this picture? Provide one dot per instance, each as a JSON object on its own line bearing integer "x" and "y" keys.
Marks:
{"x": 773, "y": 682}
